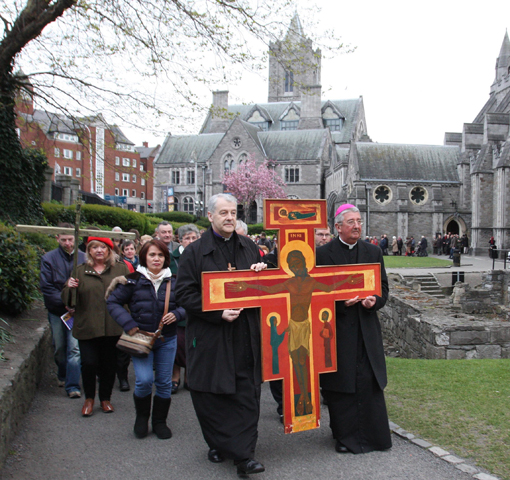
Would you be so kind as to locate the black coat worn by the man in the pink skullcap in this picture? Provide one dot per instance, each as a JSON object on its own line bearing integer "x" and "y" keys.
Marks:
{"x": 344, "y": 379}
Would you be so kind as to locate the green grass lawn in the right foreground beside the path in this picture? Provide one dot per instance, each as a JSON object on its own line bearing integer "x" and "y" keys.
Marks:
{"x": 462, "y": 406}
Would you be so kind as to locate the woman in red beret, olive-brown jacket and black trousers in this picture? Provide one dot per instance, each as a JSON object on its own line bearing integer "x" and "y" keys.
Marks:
{"x": 96, "y": 331}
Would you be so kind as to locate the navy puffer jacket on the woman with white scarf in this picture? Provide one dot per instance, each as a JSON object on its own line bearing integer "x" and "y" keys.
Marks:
{"x": 145, "y": 309}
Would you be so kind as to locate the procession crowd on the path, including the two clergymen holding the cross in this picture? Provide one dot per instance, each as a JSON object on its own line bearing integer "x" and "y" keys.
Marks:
{"x": 152, "y": 285}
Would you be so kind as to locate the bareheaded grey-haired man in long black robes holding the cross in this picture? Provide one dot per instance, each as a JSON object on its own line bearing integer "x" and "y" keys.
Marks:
{"x": 222, "y": 348}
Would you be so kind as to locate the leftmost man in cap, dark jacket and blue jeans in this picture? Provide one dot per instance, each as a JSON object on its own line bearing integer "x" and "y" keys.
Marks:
{"x": 56, "y": 268}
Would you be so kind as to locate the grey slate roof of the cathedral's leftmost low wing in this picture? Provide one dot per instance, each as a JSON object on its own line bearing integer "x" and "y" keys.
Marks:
{"x": 182, "y": 148}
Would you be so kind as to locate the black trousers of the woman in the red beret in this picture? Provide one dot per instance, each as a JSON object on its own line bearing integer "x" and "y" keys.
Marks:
{"x": 98, "y": 359}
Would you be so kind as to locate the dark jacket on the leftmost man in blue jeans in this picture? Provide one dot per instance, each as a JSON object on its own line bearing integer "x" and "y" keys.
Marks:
{"x": 56, "y": 268}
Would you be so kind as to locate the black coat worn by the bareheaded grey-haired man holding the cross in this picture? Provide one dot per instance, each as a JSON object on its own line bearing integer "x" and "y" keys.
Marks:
{"x": 209, "y": 345}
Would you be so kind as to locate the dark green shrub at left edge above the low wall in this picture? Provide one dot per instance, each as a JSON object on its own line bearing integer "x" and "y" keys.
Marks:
{"x": 19, "y": 272}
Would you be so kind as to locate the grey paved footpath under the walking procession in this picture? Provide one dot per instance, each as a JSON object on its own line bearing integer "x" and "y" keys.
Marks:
{"x": 56, "y": 442}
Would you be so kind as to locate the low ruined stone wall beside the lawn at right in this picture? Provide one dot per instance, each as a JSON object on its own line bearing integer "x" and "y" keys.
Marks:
{"x": 421, "y": 326}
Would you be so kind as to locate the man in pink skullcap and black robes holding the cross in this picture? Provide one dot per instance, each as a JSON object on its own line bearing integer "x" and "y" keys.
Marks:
{"x": 354, "y": 393}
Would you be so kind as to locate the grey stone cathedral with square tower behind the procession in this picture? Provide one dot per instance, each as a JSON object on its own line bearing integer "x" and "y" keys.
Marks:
{"x": 322, "y": 150}
